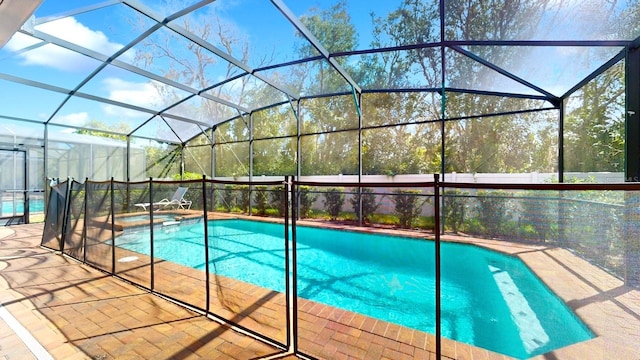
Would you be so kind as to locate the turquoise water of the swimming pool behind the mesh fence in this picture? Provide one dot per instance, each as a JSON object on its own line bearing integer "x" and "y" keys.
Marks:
{"x": 488, "y": 299}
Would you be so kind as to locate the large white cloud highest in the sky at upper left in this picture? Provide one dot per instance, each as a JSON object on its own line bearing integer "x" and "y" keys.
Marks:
{"x": 68, "y": 29}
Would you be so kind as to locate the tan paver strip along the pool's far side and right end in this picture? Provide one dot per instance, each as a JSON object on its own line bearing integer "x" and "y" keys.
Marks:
{"x": 608, "y": 307}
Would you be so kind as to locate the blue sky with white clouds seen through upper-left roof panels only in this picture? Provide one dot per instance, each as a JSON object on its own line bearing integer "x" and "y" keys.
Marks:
{"x": 106, "y": 30}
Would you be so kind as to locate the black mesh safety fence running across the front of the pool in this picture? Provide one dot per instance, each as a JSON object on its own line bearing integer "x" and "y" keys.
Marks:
{"x": 365, "y": 258}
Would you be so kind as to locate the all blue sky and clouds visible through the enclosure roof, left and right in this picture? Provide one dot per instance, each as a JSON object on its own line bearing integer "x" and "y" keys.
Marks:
{"x": 270, "y": 37}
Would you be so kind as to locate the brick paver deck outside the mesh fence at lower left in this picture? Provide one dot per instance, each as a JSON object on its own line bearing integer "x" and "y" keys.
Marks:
{"x": 77, "y": 312}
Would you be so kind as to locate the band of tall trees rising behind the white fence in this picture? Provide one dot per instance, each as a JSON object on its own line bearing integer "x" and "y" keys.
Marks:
{"x": 404, "y": 130}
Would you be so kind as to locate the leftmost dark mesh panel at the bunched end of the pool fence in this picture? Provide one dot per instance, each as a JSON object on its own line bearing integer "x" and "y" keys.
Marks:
{"x": 55, "y": 217}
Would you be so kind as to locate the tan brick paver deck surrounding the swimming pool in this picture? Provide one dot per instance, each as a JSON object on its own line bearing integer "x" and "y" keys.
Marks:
{"x": 78, "y": 312}
